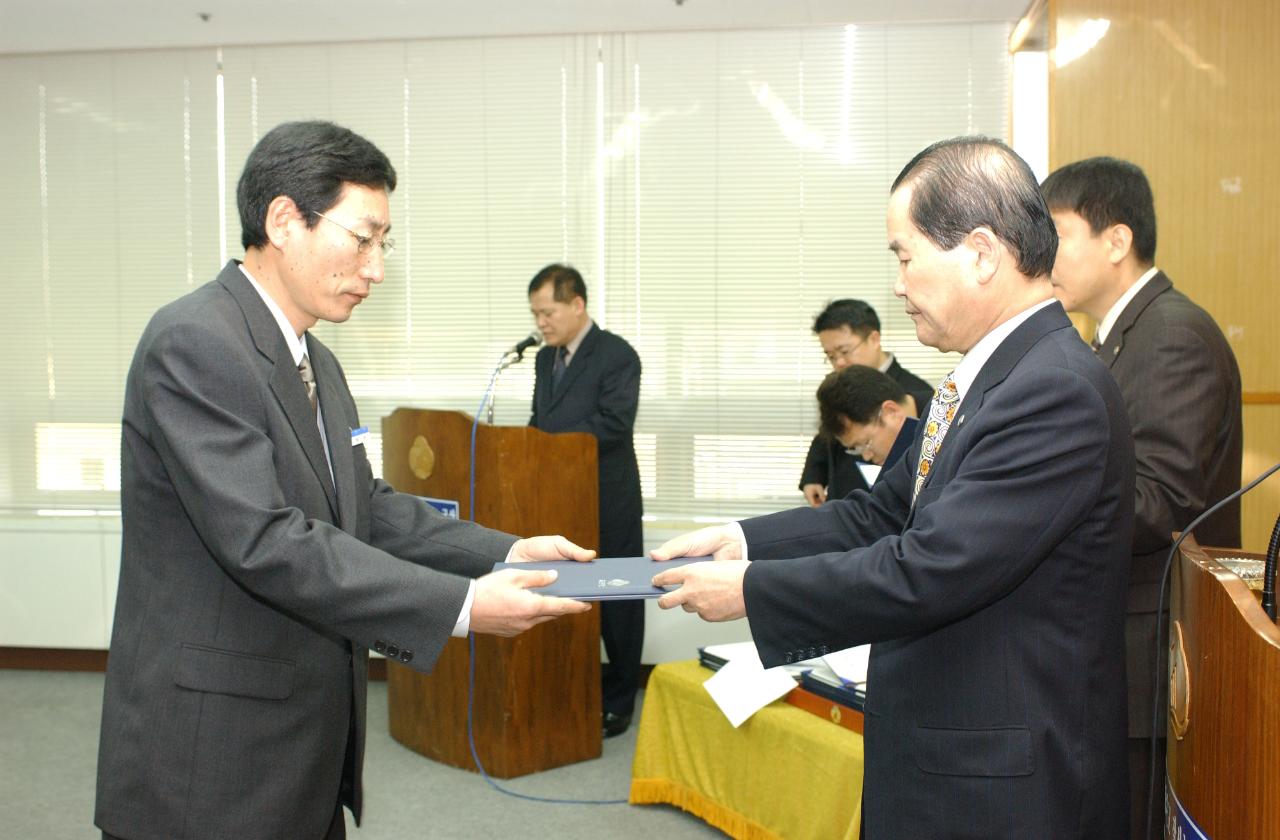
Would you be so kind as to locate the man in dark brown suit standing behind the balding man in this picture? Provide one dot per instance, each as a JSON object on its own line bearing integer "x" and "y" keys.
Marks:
{"x": 1182, "y": 389}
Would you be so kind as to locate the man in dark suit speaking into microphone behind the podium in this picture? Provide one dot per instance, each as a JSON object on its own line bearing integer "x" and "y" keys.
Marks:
{"x": 588, "y": 380}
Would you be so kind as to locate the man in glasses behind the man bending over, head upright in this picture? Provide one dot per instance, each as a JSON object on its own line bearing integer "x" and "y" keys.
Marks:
{"x": 849, "y": 334}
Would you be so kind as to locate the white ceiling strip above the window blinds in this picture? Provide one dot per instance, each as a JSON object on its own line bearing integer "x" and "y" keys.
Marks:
{"x": 45, "y": 26}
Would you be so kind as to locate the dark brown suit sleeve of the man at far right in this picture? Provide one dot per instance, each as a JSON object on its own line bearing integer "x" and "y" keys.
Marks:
{"x": 1177, "y": 421}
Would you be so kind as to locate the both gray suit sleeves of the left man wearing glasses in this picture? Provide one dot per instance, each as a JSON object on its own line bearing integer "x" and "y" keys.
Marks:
{"x": 222, "y": 444}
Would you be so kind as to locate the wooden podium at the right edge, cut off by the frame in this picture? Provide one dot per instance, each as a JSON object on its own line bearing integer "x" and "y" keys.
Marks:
{"x": 1224, "y": 718}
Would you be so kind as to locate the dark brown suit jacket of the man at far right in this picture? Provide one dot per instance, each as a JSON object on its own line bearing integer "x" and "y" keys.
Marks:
{"x": 1182, "y": 391}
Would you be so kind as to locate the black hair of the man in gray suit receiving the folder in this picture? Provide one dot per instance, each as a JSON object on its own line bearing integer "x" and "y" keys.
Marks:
{"x": 310, "y": 163}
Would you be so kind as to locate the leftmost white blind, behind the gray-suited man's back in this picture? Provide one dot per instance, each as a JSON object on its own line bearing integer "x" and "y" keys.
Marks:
{"x": 111, "y": 211}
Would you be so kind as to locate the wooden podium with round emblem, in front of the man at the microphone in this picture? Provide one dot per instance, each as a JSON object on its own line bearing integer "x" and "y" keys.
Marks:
{"x": 538, "y": 696}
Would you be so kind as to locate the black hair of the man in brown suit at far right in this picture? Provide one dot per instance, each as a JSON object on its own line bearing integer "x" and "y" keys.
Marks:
{"x": 1108, "y": 191}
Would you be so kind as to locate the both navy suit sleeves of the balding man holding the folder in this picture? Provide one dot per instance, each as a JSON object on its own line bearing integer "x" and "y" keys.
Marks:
{"x": 1030, "y": 477}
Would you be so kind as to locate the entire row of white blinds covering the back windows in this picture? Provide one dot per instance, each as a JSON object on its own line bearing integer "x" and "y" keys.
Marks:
{"x": 716, "y": 189}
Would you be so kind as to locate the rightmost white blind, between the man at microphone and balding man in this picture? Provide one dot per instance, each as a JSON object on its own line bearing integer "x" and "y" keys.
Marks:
{"x": 755, "y": 193}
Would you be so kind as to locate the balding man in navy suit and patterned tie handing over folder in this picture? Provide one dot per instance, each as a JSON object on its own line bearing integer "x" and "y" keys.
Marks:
{"x": 989, "y": 565}
